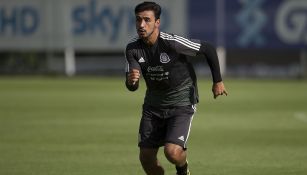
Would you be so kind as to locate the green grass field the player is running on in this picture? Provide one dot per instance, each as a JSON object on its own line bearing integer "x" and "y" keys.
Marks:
{"x": 88, "y": 126}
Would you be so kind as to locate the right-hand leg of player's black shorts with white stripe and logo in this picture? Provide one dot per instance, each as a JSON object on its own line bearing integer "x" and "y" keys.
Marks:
{"x": 179, "y": 125}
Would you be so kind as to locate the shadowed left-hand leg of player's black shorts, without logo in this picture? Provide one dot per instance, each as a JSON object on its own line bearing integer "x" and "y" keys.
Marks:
{"x": 152, "y": 128}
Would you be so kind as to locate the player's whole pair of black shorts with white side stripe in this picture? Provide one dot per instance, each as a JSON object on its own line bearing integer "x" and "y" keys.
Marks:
{"x": 170, "y": 125}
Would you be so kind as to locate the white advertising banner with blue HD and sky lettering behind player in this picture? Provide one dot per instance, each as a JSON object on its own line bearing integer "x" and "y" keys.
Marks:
{"x": 102, "y": 25}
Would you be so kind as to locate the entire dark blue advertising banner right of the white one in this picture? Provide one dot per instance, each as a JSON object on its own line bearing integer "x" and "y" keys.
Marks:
{"x": 251, "y": 23}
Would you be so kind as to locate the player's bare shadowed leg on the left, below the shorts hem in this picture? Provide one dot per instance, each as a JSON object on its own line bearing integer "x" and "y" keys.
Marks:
{"x": 149, "y": 161}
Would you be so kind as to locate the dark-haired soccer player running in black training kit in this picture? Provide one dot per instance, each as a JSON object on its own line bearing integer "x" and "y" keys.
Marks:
{"x": 171, "y": 94}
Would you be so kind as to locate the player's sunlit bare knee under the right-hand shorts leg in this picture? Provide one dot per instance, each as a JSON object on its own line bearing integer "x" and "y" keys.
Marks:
{"x": 174, "y": 153}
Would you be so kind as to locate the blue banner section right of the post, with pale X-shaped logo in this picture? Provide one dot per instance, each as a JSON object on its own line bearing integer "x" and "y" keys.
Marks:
{"x": 266, "y": 24}
